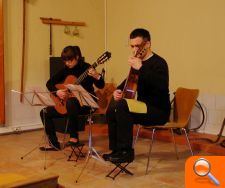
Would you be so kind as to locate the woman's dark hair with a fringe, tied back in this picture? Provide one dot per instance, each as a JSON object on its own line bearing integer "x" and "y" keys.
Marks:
{"x": 71, "y": 52}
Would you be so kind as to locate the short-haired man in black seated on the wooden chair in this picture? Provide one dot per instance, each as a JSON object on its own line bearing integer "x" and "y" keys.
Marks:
{"x": 152, "y": 90}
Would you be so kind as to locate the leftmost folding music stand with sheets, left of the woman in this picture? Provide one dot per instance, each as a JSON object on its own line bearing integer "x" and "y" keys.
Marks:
{"x": 37, "y": 97}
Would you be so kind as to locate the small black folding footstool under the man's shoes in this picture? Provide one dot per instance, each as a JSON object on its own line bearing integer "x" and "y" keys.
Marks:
{"x": 119, "y": 168}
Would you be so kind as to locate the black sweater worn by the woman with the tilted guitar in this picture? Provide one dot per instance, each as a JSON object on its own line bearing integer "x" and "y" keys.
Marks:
{"x": 76, "y": 71}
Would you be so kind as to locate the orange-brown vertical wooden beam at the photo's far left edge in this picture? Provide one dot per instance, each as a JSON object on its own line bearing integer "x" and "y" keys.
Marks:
{"x": 2, "y": 81}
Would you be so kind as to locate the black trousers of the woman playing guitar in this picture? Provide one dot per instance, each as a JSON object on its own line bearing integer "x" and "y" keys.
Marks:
{"x": 73, "y": 111}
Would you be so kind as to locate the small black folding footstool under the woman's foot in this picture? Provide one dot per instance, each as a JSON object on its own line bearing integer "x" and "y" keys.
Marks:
{"x": 76, "y": 151}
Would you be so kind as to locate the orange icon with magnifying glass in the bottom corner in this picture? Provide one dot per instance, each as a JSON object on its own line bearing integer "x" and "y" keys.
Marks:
{"x": 205, "y": 172}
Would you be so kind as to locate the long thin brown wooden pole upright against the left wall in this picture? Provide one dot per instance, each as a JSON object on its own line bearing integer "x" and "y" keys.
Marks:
{"x": 23, "y": 53}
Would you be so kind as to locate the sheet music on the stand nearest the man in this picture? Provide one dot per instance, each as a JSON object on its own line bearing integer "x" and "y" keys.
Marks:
{"x": 82, "y": 95}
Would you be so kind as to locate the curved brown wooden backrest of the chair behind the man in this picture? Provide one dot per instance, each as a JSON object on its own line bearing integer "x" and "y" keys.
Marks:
{"x": 184, "y": 102}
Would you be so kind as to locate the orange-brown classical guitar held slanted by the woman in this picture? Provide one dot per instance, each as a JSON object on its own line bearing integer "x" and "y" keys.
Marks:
{"x": 60, "y": 105}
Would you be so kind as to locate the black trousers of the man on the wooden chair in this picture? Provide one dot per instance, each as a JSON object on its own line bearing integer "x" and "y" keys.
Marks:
{"x": 120, "y": 123}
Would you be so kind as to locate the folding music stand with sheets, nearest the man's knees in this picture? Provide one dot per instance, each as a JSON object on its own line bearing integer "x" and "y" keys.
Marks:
{"x": 85, "y": 99}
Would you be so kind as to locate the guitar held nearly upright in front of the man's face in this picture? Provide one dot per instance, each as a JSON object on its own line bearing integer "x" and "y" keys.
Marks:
{"x": 130, "y": 88}
